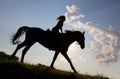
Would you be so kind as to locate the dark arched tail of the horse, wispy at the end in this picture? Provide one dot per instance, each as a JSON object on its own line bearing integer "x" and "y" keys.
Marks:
{"x": 21, "y": 30}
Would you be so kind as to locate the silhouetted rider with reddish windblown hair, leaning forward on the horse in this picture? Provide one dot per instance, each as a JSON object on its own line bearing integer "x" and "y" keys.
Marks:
{"x": 59, "y": 25}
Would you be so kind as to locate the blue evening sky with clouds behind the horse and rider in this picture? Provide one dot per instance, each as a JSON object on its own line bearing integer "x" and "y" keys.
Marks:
{"x": 98, "y": 18}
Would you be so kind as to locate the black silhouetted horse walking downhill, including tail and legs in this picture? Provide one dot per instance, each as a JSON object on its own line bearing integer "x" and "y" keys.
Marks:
{"x": 58, "y": 42}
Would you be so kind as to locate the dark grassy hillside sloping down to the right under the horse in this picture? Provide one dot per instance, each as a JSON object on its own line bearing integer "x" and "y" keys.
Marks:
{"x": 13, "y": 69}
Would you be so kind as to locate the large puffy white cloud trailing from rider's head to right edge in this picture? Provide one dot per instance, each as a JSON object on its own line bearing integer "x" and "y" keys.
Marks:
{"x": 106, "y": 41}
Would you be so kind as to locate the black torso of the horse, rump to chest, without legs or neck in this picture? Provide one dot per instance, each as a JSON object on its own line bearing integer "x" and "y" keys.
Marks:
{"x": 52, "y": 41}
